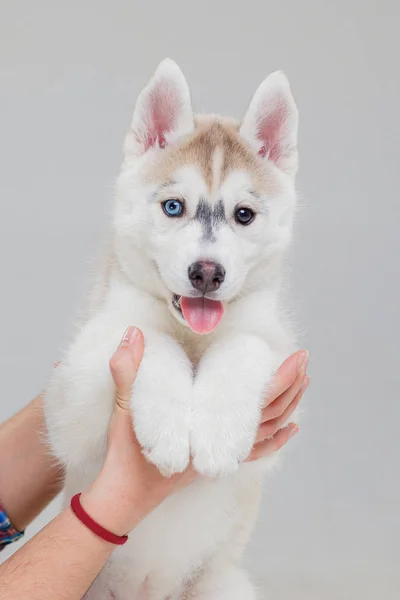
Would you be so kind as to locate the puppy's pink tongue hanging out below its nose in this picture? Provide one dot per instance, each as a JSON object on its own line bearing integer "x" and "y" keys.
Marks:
{"x": 202, "y": 315}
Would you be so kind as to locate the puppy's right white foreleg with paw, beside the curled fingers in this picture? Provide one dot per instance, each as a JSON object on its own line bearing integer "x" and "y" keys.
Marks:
{"x": 227, "y": 399}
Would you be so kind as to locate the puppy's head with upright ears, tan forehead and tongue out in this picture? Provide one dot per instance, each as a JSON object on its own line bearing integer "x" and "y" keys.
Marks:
{"x": 204, "y": 203}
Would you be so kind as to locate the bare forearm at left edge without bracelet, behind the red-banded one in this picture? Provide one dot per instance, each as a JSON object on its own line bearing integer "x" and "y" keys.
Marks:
{"x": 29, "y": 477}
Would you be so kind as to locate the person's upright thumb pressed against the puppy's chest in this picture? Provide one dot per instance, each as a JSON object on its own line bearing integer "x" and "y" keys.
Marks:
{"x": 124, "y": 365}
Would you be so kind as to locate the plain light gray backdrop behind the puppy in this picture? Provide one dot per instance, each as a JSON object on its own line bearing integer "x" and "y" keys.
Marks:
{"x": 70, "y": 73}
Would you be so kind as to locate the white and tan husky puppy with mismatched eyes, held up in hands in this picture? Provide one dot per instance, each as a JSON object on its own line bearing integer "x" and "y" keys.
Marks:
{"x": 202, "y": 216}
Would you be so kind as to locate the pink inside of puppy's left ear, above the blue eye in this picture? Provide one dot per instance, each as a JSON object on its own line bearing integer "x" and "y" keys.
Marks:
{"x": 162, "y": 114}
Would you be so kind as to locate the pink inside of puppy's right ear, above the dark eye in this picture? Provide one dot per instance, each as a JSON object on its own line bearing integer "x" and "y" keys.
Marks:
{"x": 271, "y": 131}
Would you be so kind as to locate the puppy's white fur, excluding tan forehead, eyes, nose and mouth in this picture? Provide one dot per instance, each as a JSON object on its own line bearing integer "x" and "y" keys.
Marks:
{"x": 190, "y": 546}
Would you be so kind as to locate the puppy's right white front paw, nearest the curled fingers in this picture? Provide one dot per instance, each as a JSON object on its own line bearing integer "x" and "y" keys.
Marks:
{"x": 221, "y": 439}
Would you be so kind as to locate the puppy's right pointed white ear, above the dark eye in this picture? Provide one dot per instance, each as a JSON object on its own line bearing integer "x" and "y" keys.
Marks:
{"x": 271, "y": 122}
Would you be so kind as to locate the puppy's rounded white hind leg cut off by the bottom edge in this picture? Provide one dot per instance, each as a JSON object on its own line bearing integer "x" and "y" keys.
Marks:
{"x": 229, "y": 584}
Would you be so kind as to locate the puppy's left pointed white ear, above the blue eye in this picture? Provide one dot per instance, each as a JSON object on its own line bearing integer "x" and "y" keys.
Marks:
{"x": 163, "y": 111}
